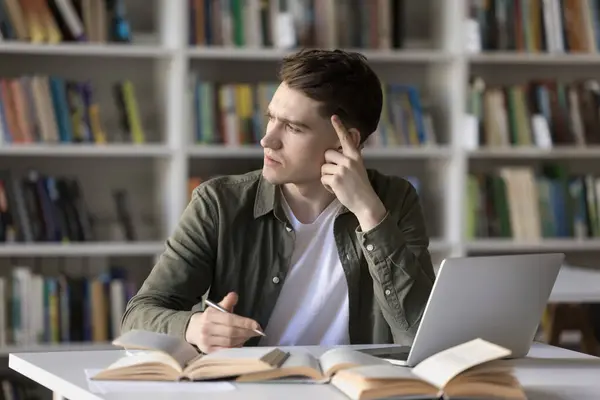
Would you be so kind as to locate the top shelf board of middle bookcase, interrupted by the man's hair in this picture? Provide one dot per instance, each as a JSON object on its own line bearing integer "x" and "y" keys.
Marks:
{"x": 266, "y": 54}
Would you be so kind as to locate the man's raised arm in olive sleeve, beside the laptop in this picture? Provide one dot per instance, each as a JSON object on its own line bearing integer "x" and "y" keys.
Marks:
{"x": 399, "y": 262}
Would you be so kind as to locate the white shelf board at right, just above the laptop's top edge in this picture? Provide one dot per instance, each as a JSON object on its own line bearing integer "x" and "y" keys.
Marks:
{"x": 507, "y": 246}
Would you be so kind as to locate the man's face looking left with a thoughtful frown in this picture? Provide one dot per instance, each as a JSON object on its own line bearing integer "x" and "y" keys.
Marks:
{"x": 296, "y": 139}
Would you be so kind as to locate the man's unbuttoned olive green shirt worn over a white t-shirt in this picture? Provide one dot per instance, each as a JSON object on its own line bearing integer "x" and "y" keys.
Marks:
{"x": 234, "y": 236}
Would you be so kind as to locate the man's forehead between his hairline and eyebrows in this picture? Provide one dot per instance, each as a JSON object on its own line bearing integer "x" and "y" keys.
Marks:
{"x": 293, "y": 104}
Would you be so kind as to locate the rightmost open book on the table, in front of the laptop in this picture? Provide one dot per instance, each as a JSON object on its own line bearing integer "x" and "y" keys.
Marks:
{"x": 464, "y": 371}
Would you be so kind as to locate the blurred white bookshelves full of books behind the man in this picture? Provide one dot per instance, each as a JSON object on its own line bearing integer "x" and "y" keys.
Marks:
{"x": 111, "y": 111}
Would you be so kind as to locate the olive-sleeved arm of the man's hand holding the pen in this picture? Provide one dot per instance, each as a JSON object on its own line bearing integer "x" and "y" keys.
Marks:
{"x": 181, "y": 276}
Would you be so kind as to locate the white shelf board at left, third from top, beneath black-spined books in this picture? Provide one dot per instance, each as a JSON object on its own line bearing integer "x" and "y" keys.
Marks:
{"x": 95, "y": 249}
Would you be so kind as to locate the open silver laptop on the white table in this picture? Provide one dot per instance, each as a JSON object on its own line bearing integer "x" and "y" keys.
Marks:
{"x": 497, "y": 298}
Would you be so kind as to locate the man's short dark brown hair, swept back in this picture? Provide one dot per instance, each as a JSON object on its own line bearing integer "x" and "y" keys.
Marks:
{"x": 342, "y": 81}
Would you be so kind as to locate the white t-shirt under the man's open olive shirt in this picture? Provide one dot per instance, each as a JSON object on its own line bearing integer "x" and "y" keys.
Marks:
{"x": 312, "y": 308}
